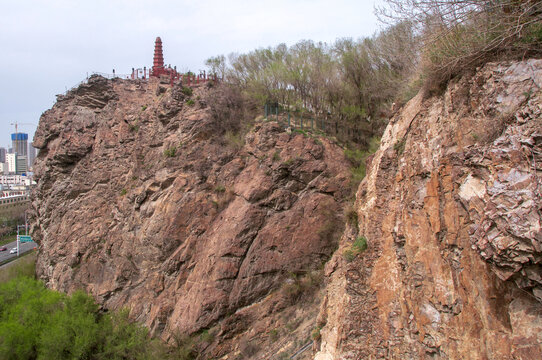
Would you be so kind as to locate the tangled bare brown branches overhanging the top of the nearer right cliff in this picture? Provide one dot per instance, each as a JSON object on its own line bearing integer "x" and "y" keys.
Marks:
{"x": 459, "y": 35}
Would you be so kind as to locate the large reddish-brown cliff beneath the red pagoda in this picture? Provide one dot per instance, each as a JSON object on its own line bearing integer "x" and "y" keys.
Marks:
{"x": 144, "y": 202}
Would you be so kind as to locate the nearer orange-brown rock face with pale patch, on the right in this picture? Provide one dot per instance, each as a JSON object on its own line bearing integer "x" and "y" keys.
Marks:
{"x": 451, "y": 210}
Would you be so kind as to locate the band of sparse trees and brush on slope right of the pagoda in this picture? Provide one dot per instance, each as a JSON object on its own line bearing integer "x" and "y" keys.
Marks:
{"x": 356, "y": 83}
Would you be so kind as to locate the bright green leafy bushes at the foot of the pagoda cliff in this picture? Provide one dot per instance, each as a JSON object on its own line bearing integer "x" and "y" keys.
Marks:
{"x": 37, "y": 323}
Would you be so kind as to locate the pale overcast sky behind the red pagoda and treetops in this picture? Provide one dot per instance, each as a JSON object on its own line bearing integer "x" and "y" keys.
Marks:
{"x": 49, "y": 46}
